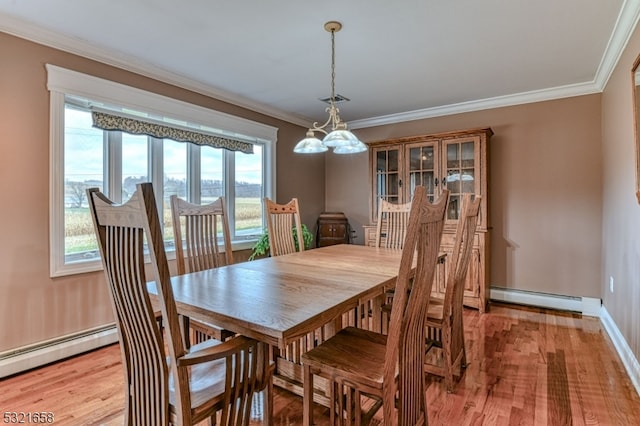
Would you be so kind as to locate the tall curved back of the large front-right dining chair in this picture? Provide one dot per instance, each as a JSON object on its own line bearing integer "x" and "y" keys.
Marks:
{"x": 405, "y": 342}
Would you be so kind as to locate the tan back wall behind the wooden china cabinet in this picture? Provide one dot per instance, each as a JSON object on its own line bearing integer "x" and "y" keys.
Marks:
{"x": 545, "y": 190}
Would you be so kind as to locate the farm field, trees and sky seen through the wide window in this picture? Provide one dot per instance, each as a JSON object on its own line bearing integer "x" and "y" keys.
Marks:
{"x": 91, "y": 155}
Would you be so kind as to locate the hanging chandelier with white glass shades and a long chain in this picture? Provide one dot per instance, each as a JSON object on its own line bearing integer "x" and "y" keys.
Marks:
{"x": 339, "y": 138}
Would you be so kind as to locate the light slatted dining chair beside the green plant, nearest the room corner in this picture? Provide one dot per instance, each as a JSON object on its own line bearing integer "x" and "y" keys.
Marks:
{"x": 282, "y": 221}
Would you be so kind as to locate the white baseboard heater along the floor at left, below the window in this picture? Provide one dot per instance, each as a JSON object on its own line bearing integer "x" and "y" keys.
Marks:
{"x": 28, "y": 357}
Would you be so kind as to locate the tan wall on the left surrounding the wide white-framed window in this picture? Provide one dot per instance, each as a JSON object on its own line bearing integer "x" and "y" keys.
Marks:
{"x": 34, "y": 307}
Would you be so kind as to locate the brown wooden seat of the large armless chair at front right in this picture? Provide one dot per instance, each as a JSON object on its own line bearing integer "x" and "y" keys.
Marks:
{"x": 352, "y": 355}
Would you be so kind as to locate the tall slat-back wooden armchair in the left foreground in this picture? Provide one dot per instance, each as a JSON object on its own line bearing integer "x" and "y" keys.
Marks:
{"x": 168, "y": 384}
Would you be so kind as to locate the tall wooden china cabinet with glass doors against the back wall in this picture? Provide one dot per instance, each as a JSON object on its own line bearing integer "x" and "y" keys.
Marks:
{"x": 457, "y": 161}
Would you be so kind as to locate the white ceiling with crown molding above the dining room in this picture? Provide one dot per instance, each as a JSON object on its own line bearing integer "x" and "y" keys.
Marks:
{"x": 396, "y": 61}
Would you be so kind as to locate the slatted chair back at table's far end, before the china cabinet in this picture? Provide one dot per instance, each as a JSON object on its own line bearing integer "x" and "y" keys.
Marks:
{"x": 393, "y": 220}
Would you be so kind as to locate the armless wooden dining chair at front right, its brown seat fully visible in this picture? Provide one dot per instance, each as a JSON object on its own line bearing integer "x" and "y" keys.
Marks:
{"x": 387, "y": 369}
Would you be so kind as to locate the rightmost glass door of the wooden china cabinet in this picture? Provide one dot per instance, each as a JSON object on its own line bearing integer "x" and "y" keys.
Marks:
{"x": 460, "y": 171}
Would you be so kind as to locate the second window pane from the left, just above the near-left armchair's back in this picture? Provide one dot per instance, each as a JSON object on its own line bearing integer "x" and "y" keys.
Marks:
{"x": 135, "y": 163}
